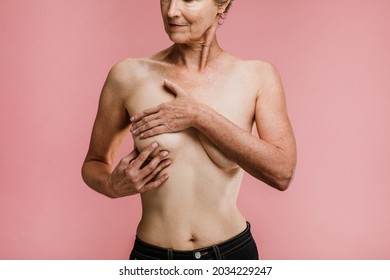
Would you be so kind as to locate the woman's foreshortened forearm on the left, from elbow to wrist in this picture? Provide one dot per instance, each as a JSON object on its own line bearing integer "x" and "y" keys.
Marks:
{"x": 96, "y": 174}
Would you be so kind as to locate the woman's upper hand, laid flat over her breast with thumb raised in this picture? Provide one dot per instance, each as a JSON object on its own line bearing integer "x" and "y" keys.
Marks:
{"x": 168, "y": 117}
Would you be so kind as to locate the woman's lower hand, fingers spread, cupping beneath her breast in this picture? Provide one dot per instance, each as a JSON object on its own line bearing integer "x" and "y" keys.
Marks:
{"x": 135, "y": 174}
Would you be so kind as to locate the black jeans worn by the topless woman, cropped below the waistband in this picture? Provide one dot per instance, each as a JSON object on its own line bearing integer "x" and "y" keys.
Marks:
{"x": 240, "y": 247}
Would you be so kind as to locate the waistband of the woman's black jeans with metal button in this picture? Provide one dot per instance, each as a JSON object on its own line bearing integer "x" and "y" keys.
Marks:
{"x": 215, "y": 251}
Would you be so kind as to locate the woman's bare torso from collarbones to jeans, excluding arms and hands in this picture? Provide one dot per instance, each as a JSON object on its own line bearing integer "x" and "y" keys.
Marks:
{"x": 196, "y": 206}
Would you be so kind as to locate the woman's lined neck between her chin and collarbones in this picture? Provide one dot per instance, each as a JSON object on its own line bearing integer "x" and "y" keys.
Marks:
{"x": 198, "y": 55}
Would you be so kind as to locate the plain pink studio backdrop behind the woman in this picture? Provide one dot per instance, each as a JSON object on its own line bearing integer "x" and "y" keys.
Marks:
{"x": 334, "y": 60}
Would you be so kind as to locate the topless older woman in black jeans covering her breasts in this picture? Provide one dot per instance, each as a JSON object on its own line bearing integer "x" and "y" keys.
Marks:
{"x": 191, "y": 109}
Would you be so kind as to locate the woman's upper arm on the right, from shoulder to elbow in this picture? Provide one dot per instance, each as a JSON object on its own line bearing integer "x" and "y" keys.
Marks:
{"x": 272, "y": 122}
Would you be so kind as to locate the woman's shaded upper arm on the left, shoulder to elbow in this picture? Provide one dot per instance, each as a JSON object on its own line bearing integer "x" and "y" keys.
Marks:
{"x": 112, "y": 120}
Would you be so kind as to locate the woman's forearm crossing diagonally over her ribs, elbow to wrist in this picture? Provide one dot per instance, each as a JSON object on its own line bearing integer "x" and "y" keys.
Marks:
{"x": 262, "y": 160}
